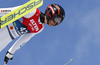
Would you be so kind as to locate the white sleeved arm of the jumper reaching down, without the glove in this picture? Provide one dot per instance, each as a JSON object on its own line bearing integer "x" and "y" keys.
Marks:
{"x": 20, "y": 42}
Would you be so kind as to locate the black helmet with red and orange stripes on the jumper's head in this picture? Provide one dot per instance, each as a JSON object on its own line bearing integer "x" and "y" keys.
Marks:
{"x": 55, "y": 12}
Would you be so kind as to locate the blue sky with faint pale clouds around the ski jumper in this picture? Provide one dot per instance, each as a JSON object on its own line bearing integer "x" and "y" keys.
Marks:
{"x": 77, "y": 37}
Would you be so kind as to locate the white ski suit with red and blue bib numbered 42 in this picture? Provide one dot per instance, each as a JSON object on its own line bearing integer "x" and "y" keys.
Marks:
{"x": 27, "y": 26}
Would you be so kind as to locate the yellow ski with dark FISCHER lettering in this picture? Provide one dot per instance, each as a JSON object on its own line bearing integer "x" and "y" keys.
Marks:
{"x": 19, "y": 12}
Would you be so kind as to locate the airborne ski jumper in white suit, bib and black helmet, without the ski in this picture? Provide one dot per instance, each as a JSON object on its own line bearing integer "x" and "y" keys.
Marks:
{"x": 28, "y": 26}
